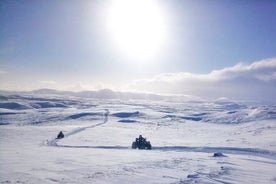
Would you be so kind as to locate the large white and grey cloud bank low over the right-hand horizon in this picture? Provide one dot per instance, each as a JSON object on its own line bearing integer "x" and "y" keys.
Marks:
{"x": 253, "y": 82}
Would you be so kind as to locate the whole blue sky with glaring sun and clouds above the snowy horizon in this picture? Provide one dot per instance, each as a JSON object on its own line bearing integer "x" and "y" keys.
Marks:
{"x": 218, "y": 48}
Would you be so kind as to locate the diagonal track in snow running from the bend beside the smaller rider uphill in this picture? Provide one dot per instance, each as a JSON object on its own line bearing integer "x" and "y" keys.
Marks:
{"x": 54, "y": 141}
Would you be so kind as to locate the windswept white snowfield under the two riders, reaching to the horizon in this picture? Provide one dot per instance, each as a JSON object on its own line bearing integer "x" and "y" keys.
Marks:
{"x": 194, "y": 141}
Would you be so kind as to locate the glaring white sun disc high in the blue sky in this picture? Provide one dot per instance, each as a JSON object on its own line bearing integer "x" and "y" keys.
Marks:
{"x": 137, "y": 27}
